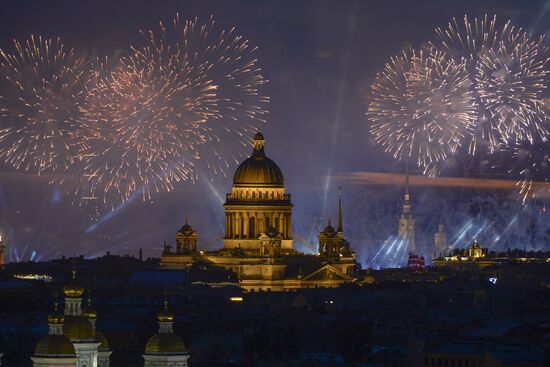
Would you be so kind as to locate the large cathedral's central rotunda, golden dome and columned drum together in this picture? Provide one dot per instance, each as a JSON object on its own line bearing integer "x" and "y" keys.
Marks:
{"x": 257, "y": 203}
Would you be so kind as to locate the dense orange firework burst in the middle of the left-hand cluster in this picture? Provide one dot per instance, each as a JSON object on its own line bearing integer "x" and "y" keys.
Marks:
{"x": 145, "y": 115}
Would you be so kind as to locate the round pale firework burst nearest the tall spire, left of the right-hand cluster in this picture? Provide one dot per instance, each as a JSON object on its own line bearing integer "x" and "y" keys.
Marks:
{"x": 421, "y": 107}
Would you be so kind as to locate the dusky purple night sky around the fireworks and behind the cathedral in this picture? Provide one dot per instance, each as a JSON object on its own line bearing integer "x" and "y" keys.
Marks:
{"x": 320, "y": 58}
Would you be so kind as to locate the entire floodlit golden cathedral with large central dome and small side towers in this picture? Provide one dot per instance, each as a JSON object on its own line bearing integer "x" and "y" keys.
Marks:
{"x": 257, "y": 245}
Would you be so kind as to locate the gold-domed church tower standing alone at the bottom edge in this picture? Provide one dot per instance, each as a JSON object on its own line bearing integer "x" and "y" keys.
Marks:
{"x": 165, "y": 349}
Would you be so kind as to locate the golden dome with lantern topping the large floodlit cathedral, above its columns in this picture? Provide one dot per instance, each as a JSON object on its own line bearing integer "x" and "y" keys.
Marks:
{"x": 258, "y": 169}
